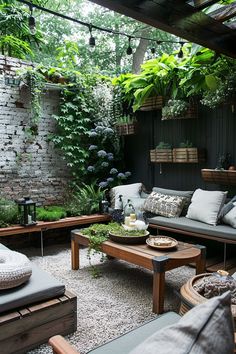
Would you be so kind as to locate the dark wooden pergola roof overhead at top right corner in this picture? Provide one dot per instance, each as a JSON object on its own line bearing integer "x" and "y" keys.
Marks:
{"x": 193, "y": 20}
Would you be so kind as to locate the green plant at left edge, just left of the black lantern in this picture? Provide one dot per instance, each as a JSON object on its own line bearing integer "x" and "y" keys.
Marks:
{"x": 8, "y": 213}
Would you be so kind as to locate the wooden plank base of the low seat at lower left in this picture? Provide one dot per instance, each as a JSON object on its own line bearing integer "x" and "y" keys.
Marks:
{"x": 26, "y": 328}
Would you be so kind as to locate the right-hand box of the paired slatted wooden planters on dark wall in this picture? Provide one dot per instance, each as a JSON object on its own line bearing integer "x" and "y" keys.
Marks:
{"x": 188, "y": 155}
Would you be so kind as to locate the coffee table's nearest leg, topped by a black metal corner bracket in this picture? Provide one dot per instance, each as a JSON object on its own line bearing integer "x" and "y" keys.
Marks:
{"x": 158, "y": 294}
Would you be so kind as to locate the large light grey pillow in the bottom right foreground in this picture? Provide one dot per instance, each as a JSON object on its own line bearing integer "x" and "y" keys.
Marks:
{"x": 206, "y": 329}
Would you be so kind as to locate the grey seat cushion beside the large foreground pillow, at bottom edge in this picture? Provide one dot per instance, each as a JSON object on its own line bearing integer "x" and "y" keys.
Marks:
{"x": 125, "y": 343}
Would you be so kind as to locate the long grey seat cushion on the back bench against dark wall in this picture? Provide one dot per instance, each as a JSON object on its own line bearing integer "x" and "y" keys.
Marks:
{"x": 183, "y": 223}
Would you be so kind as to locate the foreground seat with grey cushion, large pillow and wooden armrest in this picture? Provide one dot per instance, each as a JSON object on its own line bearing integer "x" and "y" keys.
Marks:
{"x": 206, "y": 329}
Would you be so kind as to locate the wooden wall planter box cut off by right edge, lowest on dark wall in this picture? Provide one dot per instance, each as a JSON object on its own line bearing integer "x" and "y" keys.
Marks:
{"x": 219, "y": 176}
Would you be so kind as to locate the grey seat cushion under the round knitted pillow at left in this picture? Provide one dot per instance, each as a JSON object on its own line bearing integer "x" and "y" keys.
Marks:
{"x": 41, "y": 286}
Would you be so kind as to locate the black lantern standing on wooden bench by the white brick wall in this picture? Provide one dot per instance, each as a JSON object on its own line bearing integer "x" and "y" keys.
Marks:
{"x": 27, "y": 211}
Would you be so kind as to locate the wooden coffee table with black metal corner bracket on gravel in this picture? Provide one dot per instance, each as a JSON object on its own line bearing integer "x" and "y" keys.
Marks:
{"x": 157, "y": 261}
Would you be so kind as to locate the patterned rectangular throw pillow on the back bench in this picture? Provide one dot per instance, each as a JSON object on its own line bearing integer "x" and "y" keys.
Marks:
{"x": 166, "y": 205}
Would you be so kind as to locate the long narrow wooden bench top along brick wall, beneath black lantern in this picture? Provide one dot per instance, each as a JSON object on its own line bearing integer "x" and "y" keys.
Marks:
{"x": 42, "y": 225}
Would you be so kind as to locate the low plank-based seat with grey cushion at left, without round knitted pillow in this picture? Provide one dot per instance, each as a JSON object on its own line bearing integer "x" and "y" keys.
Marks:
{"x": 34, "y": 311}
